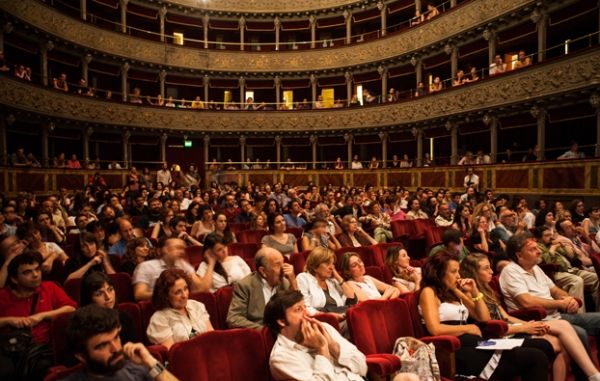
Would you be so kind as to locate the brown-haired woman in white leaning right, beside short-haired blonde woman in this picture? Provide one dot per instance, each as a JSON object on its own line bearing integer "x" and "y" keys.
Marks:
{"x": 365, "y": 286}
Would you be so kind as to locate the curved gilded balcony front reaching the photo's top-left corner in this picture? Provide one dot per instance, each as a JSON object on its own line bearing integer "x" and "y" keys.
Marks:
{"x": 471, "y": 15}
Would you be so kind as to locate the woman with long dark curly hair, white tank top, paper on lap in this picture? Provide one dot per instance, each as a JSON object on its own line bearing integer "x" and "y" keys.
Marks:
{"x": 445, "y": 303}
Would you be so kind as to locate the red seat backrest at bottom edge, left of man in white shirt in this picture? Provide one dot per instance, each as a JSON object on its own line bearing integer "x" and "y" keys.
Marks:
{"x": 217, "y": 356}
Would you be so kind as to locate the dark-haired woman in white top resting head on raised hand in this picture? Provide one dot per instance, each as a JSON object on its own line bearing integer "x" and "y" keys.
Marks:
{"x": 220, "y": 269}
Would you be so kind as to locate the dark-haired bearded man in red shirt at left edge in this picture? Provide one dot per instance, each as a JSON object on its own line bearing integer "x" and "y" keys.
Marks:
{"x": 17, "y": 308}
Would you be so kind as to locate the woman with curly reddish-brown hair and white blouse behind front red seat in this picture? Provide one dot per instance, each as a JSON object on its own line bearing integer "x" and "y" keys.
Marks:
{"x": 177, "y": 318}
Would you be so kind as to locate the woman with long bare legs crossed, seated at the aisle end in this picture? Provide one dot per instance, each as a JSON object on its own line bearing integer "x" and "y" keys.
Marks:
{"x": 560, "y": 334}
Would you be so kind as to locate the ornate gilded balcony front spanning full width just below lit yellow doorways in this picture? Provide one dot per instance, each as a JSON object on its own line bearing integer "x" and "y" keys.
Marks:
{"x": 570, "y": 74}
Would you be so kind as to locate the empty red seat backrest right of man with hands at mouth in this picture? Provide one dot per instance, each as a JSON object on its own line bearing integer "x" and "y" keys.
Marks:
{"x": 376, "y": 324}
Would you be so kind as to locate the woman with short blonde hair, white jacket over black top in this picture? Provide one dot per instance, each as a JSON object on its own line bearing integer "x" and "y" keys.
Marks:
{"x": 323, "y": 288}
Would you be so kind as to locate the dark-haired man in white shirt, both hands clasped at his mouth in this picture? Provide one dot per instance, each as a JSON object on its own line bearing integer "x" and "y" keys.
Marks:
{"x": 307, "y": 349}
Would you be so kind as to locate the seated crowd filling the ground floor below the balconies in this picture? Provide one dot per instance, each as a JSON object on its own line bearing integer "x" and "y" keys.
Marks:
{"x": 313, "y": 255}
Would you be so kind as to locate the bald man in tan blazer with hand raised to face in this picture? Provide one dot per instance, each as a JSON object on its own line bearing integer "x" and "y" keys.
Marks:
{"x": 252, "y": 293}
